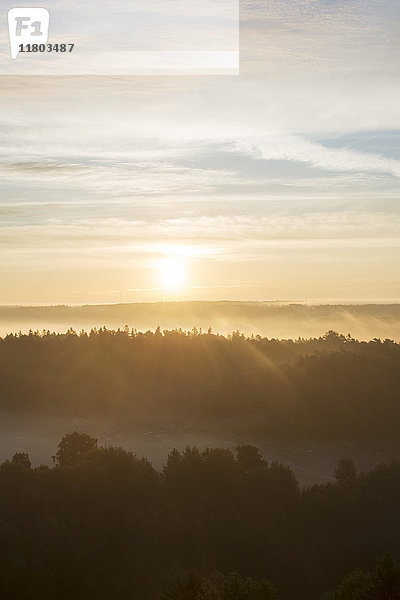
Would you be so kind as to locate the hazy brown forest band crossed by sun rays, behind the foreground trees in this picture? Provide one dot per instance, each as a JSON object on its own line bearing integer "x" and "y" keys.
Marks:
{"x": 333, "y": 387}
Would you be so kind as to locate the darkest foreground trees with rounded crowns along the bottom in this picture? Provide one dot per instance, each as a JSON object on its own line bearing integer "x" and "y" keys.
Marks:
{"x": 212, "y": 525}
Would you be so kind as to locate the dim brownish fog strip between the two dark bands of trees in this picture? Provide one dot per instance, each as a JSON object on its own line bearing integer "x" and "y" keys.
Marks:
{"x": 312, "y": 462}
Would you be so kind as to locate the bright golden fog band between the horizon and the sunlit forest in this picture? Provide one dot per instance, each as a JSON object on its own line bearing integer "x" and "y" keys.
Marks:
{"x": 270, "y": 319}
